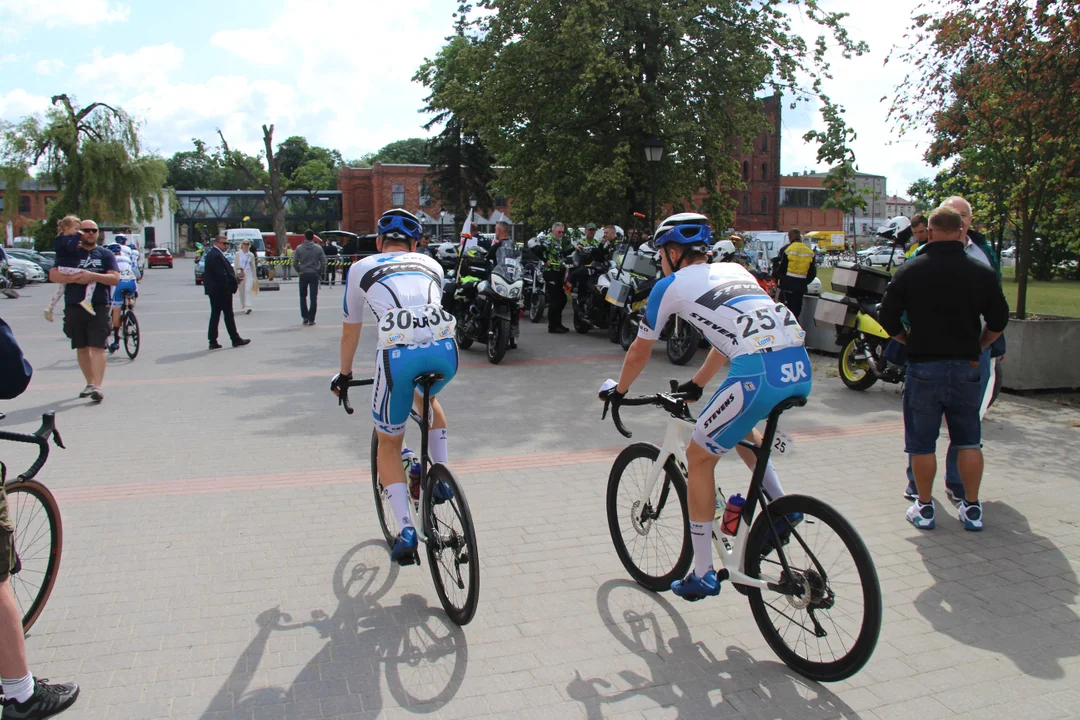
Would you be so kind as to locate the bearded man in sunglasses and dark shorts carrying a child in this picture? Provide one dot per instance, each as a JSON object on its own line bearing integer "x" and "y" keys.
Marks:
{"x": 89, "y": 331}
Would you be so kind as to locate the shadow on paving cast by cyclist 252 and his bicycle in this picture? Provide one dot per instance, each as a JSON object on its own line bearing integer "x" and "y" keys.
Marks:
{"x": 687, "y": 675}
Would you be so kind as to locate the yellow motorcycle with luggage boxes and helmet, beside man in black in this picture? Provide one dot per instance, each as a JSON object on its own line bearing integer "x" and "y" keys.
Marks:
{"x": 854, "y": 311}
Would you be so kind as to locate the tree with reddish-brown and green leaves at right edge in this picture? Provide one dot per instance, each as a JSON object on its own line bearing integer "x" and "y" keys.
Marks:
{"x": 996, "y": 85}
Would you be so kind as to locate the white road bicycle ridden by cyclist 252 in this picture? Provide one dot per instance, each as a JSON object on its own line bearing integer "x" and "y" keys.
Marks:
{"x": 818, "y": 607}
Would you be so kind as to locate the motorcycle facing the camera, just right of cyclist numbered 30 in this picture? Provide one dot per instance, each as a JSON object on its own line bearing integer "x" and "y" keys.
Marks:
{"x": 488, "y": 300}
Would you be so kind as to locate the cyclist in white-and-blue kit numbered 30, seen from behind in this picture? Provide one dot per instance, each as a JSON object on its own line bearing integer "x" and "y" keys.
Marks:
{"x": 404, "y": 290}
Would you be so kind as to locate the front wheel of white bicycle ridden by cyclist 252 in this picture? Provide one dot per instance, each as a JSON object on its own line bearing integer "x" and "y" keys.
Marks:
{"x": 652, "y": 536}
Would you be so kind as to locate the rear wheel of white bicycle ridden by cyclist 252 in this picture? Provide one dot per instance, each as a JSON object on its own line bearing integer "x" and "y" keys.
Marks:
{"x": 827, "y": 621}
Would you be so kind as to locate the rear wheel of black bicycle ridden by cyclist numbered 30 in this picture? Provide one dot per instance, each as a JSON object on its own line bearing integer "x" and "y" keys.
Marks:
{"x": 452, "y": 547}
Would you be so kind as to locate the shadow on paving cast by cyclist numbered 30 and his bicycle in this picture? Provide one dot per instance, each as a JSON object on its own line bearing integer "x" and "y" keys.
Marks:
{"x": 422, "y": 653}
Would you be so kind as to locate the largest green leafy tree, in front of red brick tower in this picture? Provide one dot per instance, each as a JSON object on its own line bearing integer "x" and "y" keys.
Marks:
{"x": 566, "y": 94}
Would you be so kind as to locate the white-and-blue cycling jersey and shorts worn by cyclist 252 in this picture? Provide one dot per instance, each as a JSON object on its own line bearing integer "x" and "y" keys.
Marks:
{"x": 763, "y": 339}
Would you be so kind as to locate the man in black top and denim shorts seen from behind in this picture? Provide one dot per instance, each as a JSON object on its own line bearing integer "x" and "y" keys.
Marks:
{"x": 947, "y": 295}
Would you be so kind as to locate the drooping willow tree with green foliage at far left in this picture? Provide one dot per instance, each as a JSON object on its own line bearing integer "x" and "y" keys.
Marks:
{"x": 93, "y": 156}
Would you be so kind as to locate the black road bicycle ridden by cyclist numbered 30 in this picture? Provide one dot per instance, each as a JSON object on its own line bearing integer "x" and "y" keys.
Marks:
{"x": 448, "y": 529}
